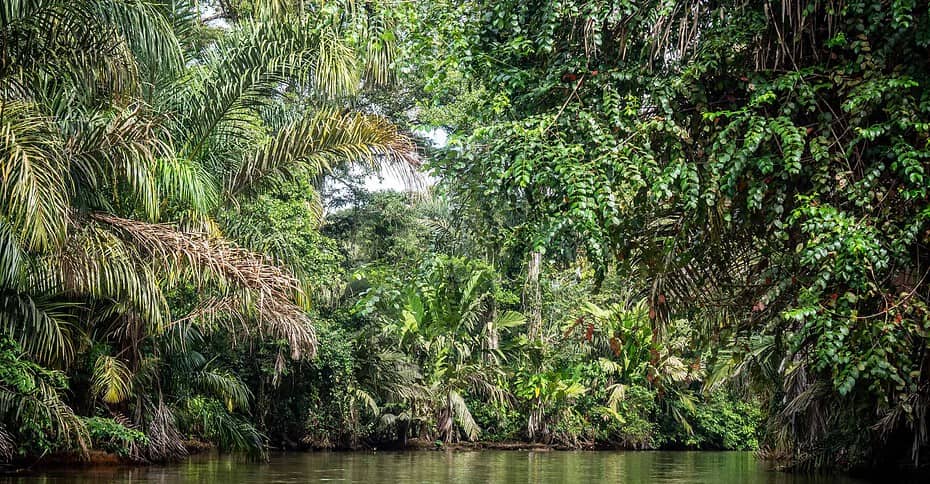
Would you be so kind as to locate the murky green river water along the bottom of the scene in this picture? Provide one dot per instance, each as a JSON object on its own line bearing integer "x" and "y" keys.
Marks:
{"x": 483, "y": 467}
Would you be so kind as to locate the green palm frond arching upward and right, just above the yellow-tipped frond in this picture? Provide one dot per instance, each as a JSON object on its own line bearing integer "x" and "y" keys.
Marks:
{"x": 243, "y": 75}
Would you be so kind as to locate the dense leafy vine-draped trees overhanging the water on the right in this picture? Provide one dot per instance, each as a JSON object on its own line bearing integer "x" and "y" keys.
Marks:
{"x": 757, "y": 167}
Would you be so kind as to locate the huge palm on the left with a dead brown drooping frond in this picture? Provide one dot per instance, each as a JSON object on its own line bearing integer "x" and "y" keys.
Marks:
{"x": 121, "y": 144}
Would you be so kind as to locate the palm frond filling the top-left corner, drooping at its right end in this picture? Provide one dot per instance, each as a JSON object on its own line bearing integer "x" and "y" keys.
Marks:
{"x": 84, "y": 43}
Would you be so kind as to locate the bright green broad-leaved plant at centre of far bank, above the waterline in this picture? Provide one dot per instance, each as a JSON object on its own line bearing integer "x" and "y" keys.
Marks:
{"x": 451, "y": 322}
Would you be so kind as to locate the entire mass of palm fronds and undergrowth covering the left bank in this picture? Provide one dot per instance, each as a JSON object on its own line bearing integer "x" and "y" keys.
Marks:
{"x": 146, "y": 219}
